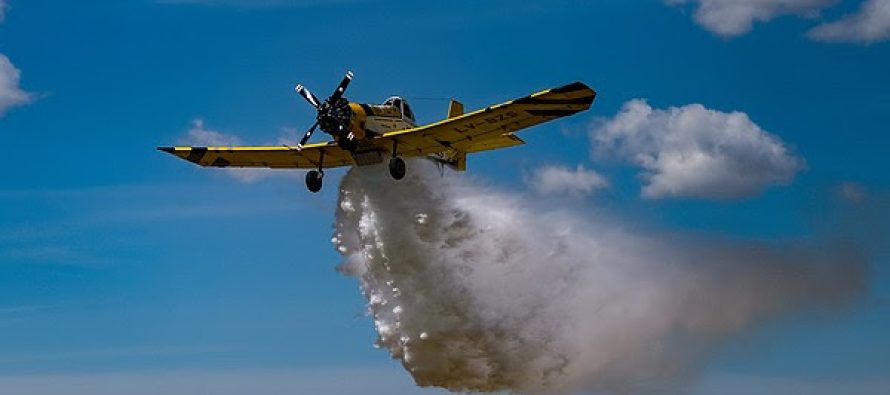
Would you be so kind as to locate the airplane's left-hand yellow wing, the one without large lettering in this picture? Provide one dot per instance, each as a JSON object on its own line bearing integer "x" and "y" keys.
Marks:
{"x": 275, "y": 157}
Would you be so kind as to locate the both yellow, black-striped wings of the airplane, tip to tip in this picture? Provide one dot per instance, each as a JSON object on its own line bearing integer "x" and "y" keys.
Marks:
{"x": 485, "y": 129}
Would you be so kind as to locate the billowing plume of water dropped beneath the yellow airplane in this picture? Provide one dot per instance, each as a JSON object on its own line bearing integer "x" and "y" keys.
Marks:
{"x": 475, "y": 289}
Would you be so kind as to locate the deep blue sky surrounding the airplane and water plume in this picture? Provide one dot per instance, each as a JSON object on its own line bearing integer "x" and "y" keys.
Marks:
{"x": 119, "y": 264}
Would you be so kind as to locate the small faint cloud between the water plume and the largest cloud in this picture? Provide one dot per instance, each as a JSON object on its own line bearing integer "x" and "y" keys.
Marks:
{"x": 560, "y": 180}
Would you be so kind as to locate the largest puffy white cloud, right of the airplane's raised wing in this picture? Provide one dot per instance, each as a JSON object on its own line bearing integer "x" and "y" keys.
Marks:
{"x": 693, "y": 151}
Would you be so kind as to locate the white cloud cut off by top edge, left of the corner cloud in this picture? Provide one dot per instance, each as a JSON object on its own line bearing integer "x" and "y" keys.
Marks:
{"x": 730, "y": 18}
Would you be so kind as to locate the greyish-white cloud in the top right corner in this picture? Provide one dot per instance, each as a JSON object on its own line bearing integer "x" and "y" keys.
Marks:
{"x": 868, "y": 25}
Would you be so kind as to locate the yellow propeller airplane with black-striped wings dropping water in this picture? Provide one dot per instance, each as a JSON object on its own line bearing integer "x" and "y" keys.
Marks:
{"x": 364, "y": 134}
